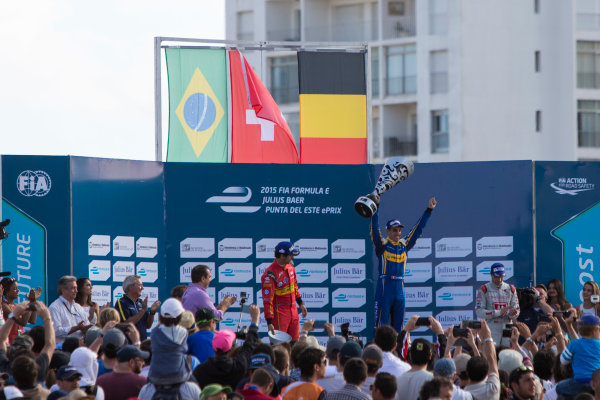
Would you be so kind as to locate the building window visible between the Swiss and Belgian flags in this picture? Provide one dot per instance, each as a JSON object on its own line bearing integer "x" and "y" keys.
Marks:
{"x": 284, "y": 79}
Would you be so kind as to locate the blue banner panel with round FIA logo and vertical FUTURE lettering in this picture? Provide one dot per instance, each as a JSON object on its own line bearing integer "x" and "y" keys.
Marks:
{"x": 35, "y": 197}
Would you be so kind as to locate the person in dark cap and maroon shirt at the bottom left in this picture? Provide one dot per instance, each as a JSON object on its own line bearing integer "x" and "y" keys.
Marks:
{"x": 125, "y": 382}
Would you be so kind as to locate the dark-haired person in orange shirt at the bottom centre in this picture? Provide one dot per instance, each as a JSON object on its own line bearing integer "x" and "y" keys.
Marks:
{"x": 312, "y": 363}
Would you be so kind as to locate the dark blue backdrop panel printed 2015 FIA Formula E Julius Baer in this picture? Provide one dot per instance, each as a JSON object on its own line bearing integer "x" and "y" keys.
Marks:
{"x": 230, "y": 217}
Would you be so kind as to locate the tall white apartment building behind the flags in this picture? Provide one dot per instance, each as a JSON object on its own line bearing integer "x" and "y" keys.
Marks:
{"x": 452, "y": 80}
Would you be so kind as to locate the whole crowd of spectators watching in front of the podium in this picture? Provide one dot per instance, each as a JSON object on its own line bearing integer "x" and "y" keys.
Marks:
{"x": 81, "y": 350}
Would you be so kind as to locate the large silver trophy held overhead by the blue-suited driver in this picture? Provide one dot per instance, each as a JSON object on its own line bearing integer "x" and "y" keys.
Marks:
{"x": 394, "y": 171}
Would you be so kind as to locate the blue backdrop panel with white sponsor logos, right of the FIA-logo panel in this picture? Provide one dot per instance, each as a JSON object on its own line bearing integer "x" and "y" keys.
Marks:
{"x": 118, "y": 226}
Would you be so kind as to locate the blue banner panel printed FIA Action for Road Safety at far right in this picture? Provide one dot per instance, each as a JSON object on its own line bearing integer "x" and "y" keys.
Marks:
{"x": 568, "y": 224}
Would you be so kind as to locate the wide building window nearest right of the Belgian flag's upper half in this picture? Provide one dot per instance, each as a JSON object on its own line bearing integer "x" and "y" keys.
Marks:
{"x": 401, "y": 70}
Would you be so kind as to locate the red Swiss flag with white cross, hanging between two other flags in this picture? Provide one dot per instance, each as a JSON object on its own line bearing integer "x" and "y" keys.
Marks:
{"x": 259, "y": 133}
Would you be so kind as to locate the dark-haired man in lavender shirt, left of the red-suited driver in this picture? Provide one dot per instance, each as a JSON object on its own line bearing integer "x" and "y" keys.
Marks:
{"x": 196, "y": 297}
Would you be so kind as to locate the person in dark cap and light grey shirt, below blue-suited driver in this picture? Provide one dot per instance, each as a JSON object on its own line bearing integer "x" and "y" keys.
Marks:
{"x": 411, "y": 381}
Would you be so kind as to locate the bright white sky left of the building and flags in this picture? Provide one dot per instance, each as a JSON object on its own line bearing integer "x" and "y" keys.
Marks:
{"x": 77, "y": 77}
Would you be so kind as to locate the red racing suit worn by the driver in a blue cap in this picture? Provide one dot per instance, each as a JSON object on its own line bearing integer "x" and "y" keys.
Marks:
{"x": 280, "y": 295}
